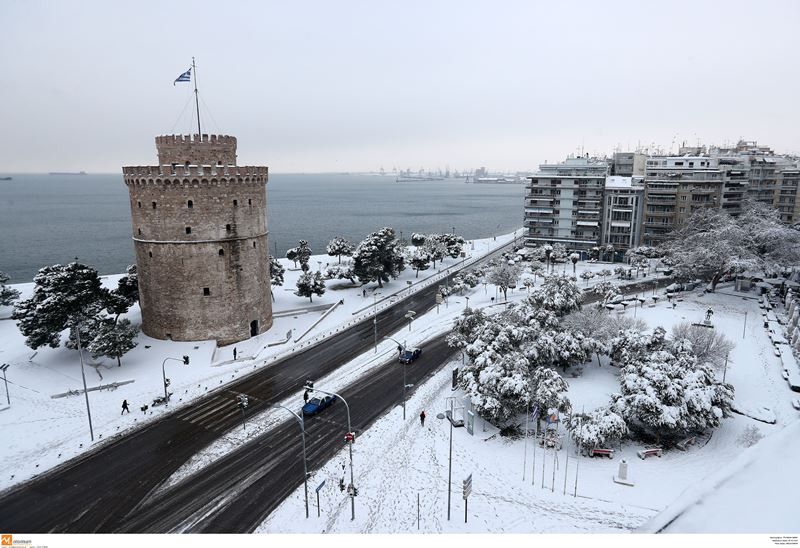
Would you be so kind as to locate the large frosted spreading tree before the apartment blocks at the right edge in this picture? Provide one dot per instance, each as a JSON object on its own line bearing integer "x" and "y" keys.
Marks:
{"x": 712, "y": 244}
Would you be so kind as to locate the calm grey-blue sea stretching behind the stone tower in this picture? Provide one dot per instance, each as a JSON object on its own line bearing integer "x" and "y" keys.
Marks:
{"x": 49, "y": 219}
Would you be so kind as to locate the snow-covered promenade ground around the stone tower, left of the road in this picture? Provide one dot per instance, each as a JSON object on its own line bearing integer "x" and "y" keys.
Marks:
{"x": 42, "y": 431}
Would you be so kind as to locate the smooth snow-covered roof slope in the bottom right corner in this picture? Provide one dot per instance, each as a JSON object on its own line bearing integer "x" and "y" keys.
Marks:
{"x": 754, "y": 493}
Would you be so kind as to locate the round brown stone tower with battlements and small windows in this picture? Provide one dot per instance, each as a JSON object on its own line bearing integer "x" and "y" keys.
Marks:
{"x": 200, "y": 235}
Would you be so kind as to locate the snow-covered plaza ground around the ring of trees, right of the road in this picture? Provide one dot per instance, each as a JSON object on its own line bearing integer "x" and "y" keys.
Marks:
{"x": 399, "y": 463}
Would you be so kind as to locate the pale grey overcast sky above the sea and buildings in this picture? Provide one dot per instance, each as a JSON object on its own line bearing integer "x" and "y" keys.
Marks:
{"x": 337, "y": 86}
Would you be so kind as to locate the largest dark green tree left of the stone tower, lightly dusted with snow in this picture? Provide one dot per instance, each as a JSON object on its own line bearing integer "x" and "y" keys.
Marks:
{"x": 63, "y": 296}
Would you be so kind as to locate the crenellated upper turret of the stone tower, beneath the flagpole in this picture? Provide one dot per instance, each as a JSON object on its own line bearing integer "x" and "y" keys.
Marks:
{"x": 196, "y": 149}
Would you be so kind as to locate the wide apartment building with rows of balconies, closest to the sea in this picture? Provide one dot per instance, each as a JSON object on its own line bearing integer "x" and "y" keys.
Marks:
{"x": 564, "y": 203}
